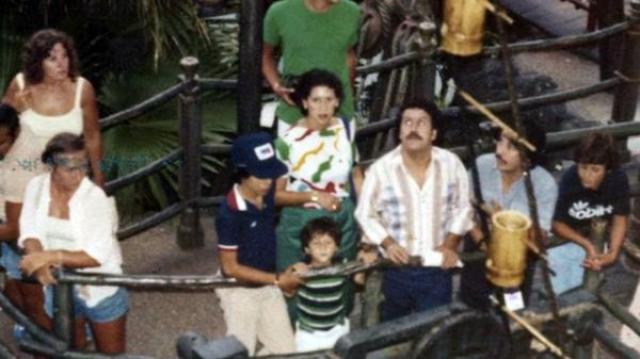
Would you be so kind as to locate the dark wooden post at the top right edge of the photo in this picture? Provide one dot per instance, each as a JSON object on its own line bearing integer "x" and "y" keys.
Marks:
{"x": 625, "y": 102}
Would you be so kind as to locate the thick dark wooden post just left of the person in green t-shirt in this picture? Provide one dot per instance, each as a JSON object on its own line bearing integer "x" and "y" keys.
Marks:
{"x": 249, "y": 90}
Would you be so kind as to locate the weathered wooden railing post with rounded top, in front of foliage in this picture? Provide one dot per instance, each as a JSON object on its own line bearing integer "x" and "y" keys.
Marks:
{"x": 190, "y": 233}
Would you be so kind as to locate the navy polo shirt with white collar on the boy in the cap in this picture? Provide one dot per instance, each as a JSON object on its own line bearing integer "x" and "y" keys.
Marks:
{"x": 250, "y": 231}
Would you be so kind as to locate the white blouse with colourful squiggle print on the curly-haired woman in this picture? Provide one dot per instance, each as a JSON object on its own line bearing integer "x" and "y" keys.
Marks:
{"x": 318, "y": 160}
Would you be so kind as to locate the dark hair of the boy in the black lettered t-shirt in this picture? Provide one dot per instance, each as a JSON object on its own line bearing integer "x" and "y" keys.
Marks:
{"x": 598, "y": 149}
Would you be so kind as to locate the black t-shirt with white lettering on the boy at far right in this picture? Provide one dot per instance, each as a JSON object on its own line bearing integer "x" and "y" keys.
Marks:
{"x": 577, "y": 206}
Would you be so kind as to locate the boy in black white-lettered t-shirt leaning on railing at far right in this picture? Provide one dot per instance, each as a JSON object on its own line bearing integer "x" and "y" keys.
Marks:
{"x": 593, "y": 189}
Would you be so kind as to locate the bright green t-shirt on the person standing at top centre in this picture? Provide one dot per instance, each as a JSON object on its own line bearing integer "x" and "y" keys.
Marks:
{"x": 311, "y": 40}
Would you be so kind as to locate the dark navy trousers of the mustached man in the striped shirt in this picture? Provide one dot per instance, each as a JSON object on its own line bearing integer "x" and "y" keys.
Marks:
{"x": 409, "y": 290}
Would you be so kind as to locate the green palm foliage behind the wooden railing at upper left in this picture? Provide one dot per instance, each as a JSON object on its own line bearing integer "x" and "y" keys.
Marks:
{"x": 130, "y": 51}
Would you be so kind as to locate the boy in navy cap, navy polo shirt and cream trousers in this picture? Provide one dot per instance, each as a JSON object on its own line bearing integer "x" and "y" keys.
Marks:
{"x": 247, "y": 250}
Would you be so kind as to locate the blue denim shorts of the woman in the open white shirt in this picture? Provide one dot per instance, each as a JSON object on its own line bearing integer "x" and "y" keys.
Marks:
{"x": 109, "y": 309}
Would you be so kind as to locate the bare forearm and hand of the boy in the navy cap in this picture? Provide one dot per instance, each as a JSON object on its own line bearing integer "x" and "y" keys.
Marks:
{"x": 286, "y": 281}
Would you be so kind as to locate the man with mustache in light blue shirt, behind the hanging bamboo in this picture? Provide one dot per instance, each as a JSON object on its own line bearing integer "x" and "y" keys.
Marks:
{"x": 501, "y": 176}
